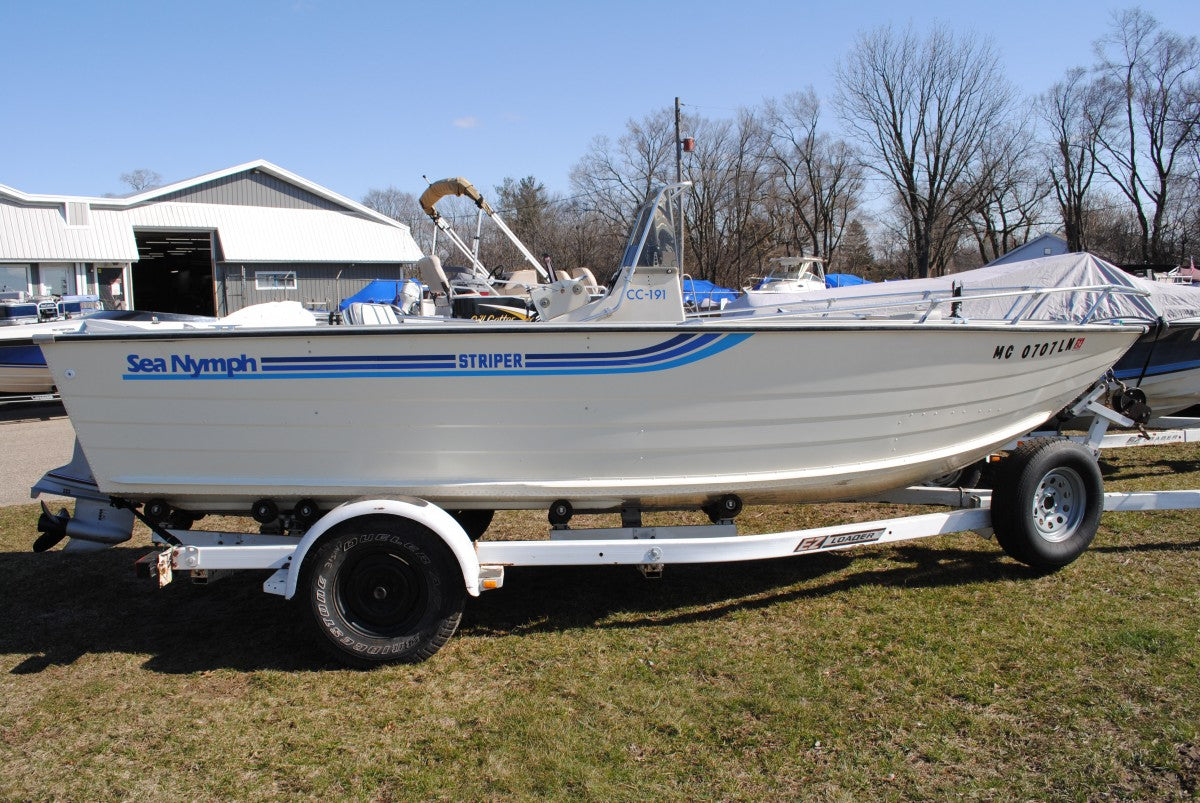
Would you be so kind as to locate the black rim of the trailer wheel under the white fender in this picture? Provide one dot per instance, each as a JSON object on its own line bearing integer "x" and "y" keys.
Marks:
{"x": 381, "y": 595}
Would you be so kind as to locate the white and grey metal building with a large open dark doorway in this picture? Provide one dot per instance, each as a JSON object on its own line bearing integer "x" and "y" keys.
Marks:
{"x": 208, "y": 245}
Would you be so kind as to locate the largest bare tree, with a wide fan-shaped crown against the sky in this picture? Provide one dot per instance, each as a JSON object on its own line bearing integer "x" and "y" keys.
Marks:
{"x": 925, "y": 107}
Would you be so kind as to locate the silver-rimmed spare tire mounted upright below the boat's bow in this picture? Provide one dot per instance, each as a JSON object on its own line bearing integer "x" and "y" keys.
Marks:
{"x": 1047, "y": 504}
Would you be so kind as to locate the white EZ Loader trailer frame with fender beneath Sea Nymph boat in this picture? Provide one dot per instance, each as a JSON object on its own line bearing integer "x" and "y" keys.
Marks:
{"x": 647, "y": 548}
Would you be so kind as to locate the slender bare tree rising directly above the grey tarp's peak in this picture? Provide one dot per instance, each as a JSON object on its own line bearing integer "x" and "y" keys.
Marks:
{"x": 1075, "y": 117}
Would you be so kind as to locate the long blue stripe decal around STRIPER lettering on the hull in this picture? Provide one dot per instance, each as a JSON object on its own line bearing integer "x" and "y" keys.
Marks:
{"x": 669, "y": 355}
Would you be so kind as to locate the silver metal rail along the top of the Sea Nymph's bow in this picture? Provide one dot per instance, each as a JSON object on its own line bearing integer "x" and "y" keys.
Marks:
{"x": 932, "y": 301}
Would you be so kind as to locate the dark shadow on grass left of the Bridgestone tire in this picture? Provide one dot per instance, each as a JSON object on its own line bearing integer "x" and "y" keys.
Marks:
{"x": 61, "y": 608}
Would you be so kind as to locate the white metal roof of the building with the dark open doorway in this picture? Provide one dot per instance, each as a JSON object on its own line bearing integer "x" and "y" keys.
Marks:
{"x": 319, "y": 226}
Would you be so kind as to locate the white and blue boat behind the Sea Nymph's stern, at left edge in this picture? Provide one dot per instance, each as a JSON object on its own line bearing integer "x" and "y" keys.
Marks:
{"x": 23, "y": 370}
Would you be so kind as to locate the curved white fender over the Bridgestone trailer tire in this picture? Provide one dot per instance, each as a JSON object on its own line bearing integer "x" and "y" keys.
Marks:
{"x": 419, "y": 511}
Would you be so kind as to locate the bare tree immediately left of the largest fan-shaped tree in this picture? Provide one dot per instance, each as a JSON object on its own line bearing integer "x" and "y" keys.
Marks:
{"x": 817, "y": 181}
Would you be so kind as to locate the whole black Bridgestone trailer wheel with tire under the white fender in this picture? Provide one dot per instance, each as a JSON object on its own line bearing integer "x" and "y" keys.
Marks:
{"x": 383, "y": 590}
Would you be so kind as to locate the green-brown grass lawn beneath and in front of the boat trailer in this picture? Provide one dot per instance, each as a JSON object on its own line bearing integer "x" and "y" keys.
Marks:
{"x": 932, "y": 669}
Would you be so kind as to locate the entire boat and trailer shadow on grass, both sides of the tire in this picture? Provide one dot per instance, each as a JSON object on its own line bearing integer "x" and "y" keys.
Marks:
{"x": 63, "y": 608}
